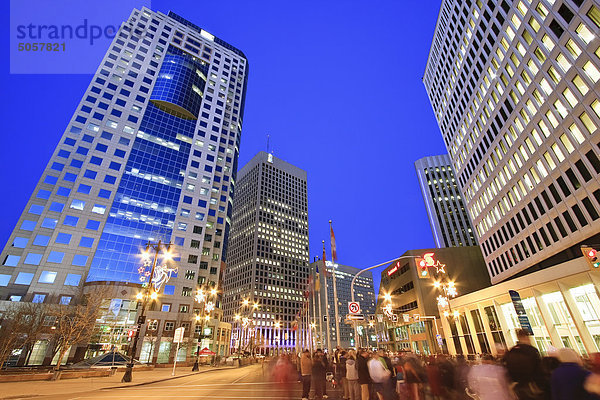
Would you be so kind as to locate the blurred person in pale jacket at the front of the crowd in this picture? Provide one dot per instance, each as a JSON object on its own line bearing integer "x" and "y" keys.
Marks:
{"x": 489, "y": 381}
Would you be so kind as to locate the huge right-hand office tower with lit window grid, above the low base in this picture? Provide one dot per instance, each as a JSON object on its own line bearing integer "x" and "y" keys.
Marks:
{"x": 514, "y": 88}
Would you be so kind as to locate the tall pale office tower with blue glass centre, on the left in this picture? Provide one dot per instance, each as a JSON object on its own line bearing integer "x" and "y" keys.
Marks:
{"x": 150, "y": 154}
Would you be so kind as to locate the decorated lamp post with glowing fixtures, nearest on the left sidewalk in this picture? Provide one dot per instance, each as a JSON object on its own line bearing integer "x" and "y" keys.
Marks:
{"x": 152, "y": 280}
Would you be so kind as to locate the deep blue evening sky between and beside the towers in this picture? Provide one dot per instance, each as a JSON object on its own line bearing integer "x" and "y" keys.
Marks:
{"x": 336, "y": 84}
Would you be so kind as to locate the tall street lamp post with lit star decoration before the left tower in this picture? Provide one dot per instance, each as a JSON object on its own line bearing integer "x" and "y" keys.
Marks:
{"x": 148, "y": 292}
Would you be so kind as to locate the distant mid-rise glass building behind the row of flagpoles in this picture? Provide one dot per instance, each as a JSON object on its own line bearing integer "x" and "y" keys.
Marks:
{"x": 364, "y": 293}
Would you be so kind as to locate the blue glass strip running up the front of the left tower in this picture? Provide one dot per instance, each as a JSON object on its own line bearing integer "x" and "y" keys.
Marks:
{"x": 149, "y": 192}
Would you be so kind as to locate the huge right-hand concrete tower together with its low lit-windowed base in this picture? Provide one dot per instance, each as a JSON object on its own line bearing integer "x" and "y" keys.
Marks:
{"x": 514, "y": 87}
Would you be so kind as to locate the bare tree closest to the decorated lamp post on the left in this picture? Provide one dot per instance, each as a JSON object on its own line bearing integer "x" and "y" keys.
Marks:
{"x": 75, "y": 324}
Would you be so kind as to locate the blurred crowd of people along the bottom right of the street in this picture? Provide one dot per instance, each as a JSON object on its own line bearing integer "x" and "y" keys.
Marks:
{"x": 521, "y": 373}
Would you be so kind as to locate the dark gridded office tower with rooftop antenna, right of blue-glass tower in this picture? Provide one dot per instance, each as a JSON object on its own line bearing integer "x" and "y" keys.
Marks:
{"x": 268, "y": 251}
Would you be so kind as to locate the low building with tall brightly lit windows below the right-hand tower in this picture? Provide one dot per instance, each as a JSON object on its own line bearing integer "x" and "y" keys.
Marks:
{"x": 561, "y": 304}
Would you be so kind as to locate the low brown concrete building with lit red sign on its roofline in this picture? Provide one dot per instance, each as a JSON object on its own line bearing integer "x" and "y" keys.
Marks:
{"x": 413, "y": 299}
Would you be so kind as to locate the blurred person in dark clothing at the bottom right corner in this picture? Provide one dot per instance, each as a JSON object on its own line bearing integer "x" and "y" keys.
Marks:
{"x": 567, "y": 380}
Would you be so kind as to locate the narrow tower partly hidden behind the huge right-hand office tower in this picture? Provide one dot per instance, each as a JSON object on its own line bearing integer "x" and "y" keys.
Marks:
{"x": 448, "y": 217}
